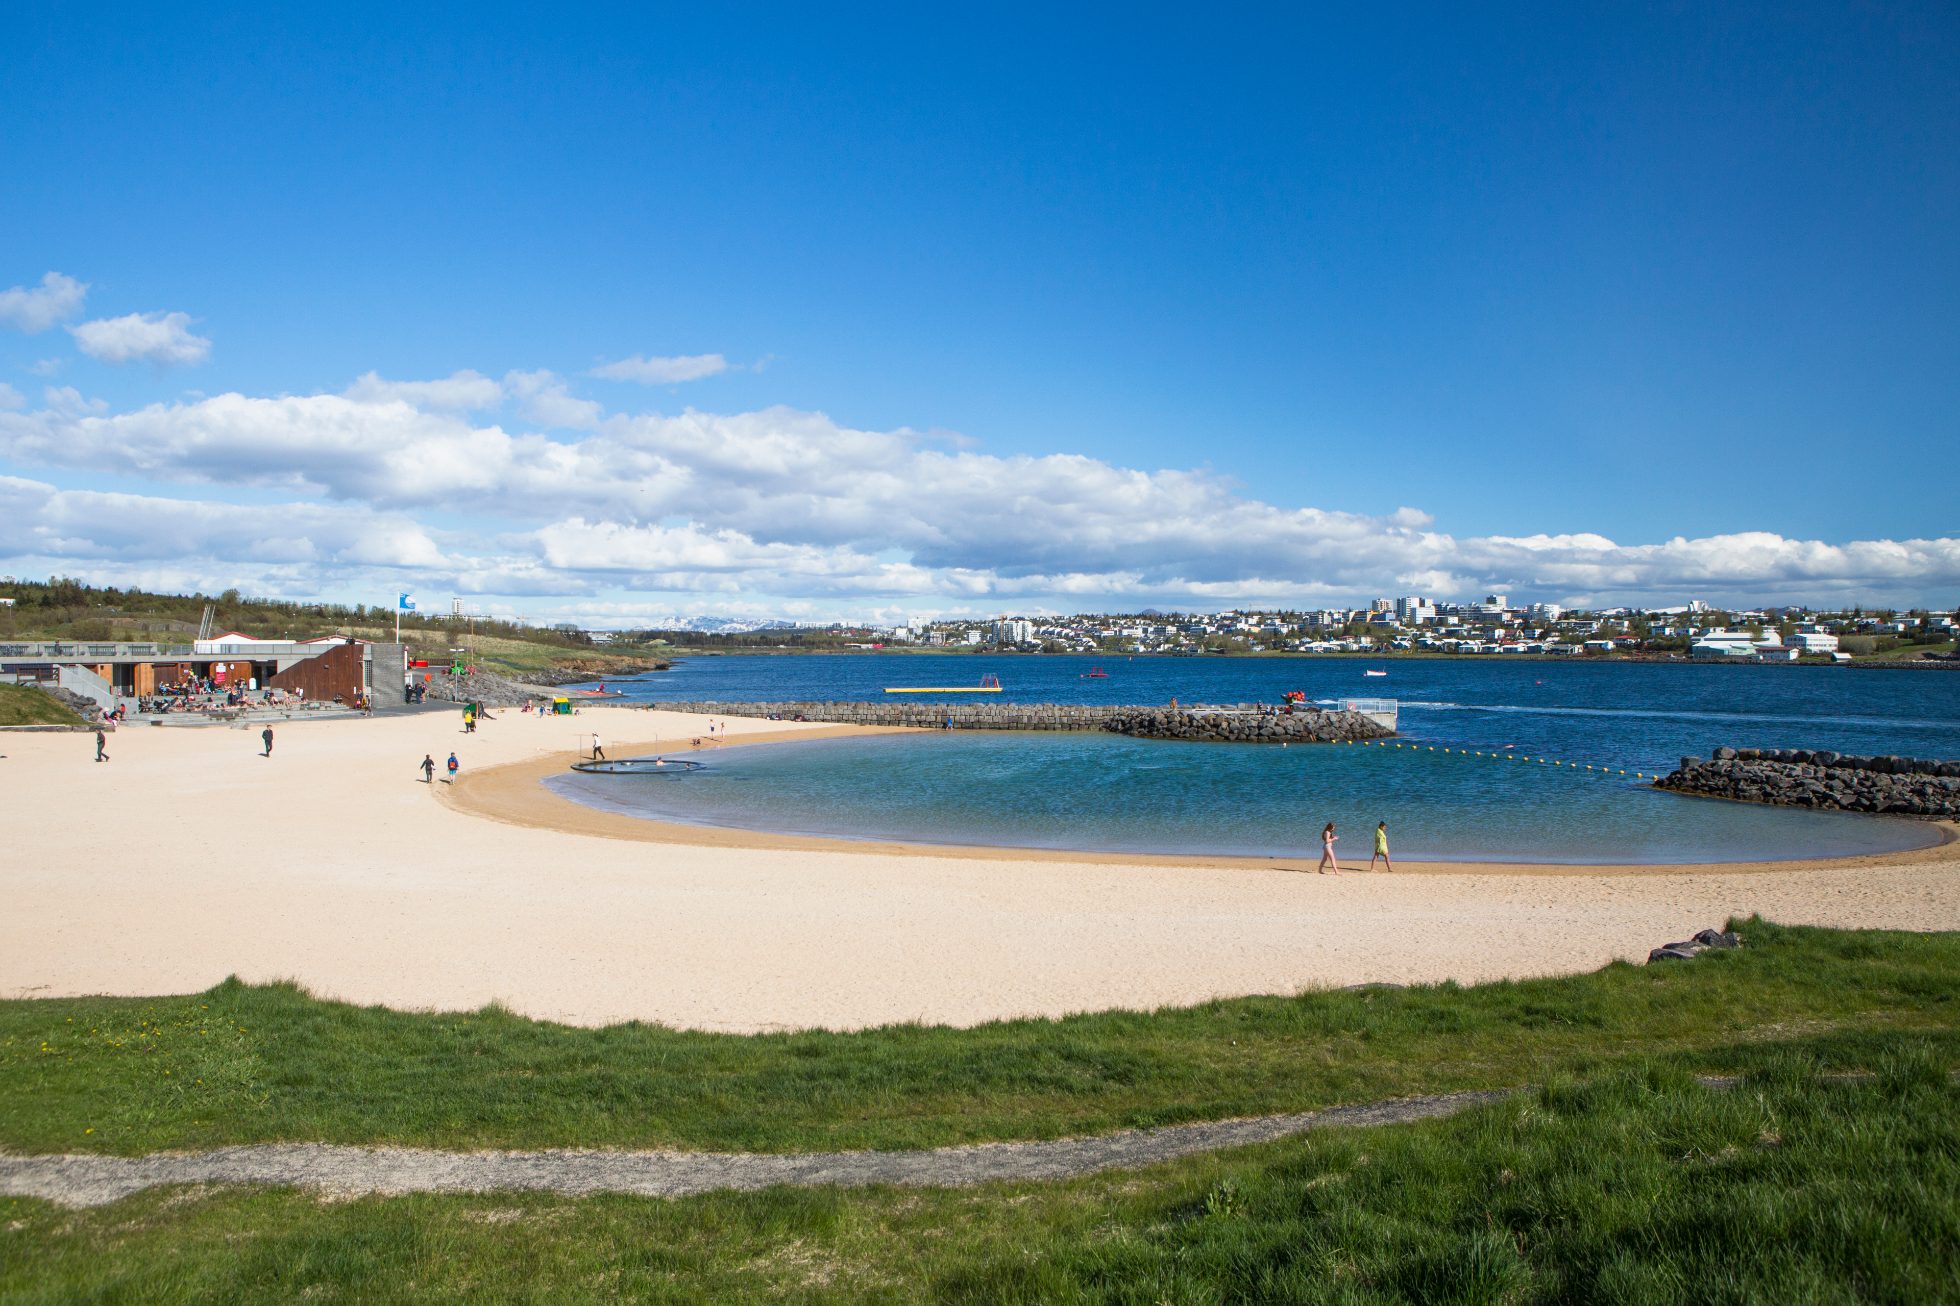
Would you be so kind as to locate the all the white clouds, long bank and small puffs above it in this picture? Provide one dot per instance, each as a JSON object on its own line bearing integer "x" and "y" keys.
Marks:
{"x": 530, "y": 495}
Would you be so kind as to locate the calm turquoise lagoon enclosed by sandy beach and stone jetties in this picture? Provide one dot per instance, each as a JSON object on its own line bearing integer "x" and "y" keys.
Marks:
{"x": 1083, "y": 791}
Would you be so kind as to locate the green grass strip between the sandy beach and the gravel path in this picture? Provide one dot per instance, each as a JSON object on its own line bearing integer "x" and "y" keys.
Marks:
{"x": 266, "y": 1064}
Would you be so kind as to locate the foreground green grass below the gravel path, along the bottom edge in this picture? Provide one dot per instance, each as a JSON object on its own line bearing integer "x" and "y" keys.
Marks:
{"x": 1634, "y": 1187}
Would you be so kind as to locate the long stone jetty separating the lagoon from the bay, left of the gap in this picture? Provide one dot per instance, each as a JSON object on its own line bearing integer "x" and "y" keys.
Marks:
{"x": 1220, "y": 725}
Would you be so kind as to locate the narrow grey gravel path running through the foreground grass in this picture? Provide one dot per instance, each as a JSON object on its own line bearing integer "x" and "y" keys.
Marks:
{"x": 95, "y": 1181}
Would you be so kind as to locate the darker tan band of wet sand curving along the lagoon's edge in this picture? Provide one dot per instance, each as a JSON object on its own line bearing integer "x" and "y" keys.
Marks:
{"x": 516, "y": 795}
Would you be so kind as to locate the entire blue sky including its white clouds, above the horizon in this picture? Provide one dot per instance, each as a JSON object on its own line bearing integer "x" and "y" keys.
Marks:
{"x": 1014, "y": 311}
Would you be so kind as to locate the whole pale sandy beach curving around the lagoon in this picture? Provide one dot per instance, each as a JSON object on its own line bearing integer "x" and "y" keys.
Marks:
{"x": 191, "y": 858}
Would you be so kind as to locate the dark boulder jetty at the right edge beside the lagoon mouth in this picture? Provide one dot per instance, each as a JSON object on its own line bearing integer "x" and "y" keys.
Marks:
{"x": 1826, "y": 781}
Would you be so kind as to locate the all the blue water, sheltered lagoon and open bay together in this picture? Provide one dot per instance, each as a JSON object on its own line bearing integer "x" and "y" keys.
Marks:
{"x": 1138, "y": 795}
